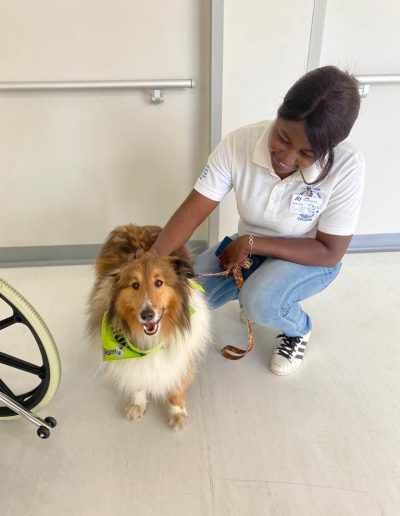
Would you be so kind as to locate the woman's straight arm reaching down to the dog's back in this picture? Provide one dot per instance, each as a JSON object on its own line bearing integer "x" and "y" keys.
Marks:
{"x": 191, "y": 213}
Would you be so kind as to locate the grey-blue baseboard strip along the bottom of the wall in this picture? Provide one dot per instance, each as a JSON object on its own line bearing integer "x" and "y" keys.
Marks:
{"x": 80, "y": 254}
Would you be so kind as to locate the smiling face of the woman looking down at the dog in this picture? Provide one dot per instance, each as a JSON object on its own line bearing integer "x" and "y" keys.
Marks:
{"x": 289, "y": 147}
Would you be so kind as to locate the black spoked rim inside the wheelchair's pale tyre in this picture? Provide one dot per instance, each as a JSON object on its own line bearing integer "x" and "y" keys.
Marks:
{"x": 33, "y": 397}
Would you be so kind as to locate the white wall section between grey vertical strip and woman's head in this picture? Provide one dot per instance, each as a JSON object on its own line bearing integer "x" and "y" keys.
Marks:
{"x": 265, "y": 51}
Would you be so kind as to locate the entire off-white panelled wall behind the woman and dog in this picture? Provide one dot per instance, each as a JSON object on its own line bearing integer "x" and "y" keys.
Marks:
{"x": 73, "y": 165}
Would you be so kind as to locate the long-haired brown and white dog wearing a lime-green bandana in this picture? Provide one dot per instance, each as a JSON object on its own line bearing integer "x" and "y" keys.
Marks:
{"x": 148, "y": 307}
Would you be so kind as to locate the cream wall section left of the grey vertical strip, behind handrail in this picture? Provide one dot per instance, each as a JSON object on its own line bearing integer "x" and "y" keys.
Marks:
{"x": 73, "y": 165}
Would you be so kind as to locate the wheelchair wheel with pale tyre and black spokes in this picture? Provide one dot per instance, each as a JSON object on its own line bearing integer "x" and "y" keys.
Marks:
{"x": 37, "y": 380}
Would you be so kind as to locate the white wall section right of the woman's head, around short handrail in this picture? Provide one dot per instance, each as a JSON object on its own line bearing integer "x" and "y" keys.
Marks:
{"x": 363, "y": 36}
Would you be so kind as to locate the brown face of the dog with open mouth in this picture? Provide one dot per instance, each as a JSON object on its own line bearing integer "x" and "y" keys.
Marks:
{"x": 151, "y": 295}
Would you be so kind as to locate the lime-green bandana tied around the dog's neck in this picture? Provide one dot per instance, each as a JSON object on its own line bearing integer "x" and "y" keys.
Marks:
{"x": 117, "y": 347}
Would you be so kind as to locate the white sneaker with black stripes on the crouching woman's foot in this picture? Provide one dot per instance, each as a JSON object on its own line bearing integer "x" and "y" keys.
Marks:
{"x": 288, "y": 356}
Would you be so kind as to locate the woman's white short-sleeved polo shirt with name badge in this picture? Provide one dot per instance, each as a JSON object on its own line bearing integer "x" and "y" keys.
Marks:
{"x": 270, "y": 206}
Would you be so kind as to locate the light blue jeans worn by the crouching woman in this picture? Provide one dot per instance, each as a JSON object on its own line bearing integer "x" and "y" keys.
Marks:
{"x": 271, "y": 294}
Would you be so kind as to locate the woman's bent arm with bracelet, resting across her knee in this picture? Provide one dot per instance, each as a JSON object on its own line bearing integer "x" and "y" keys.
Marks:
{"x": 324, "y": 251}
